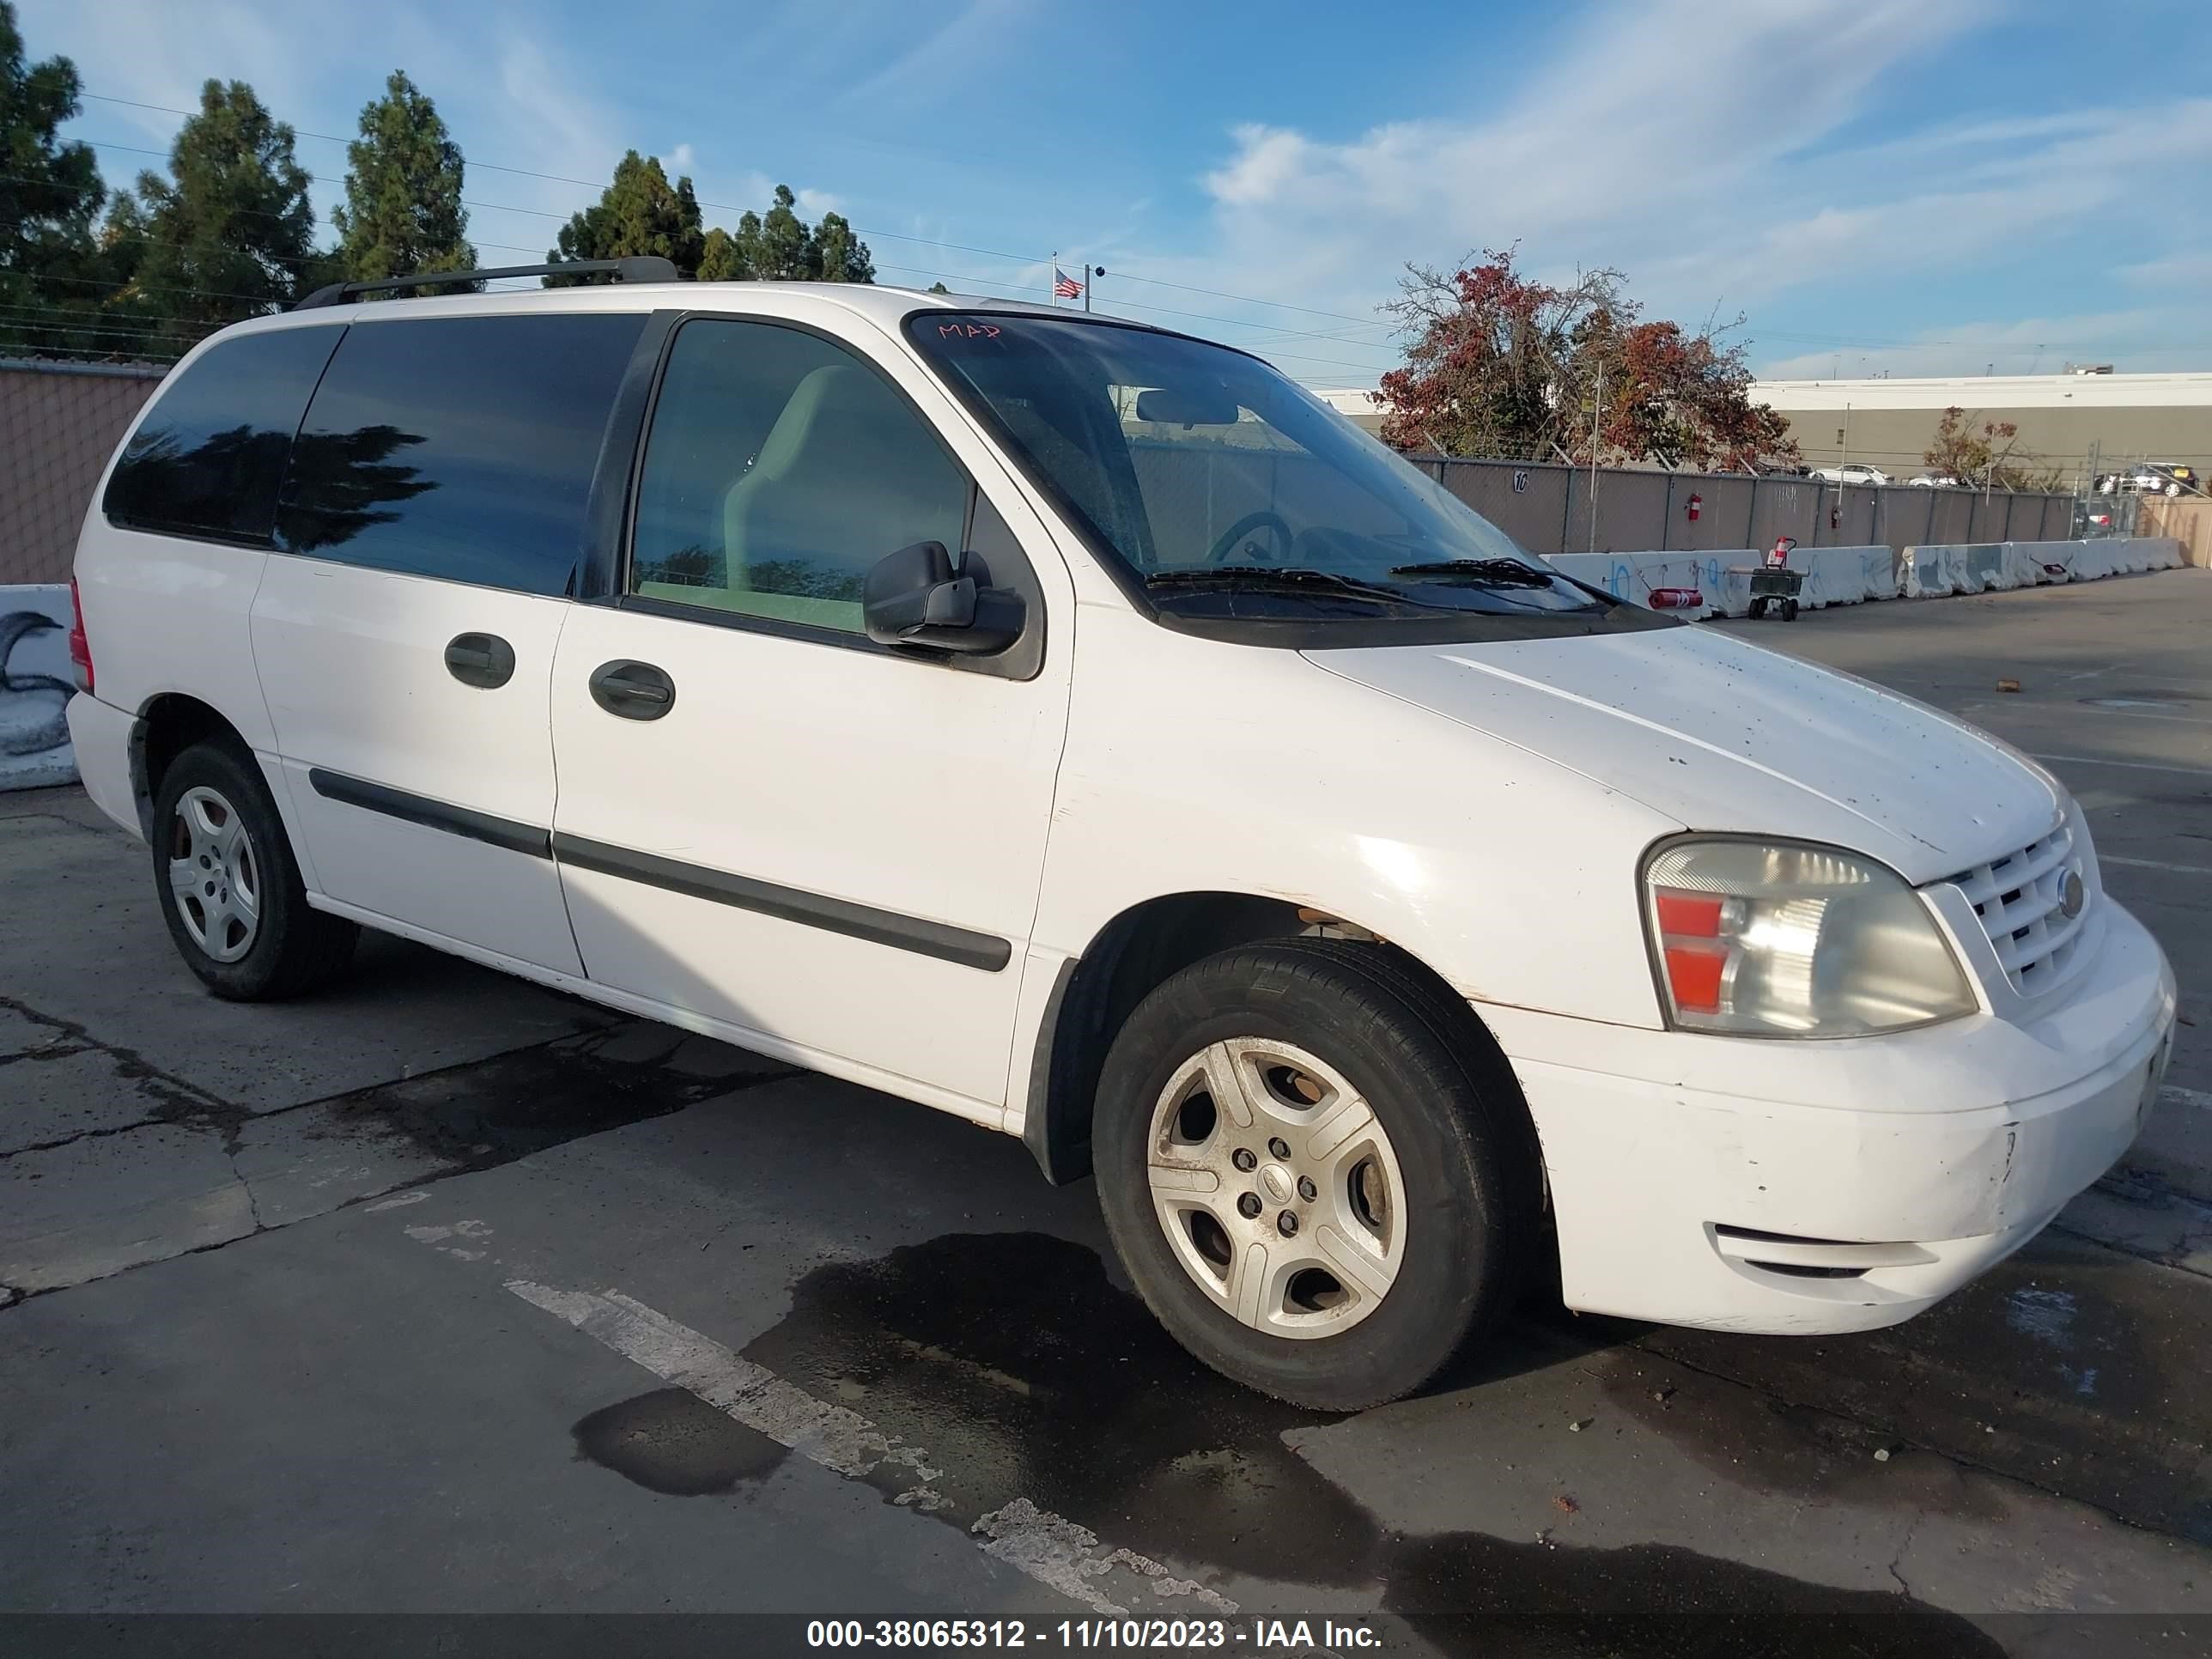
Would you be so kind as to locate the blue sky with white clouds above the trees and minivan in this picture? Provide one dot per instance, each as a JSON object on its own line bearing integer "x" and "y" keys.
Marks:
{"x": 1912, "y": 187}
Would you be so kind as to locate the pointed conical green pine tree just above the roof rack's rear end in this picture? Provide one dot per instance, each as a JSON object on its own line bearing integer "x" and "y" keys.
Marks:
{"x": 401, "y": 191}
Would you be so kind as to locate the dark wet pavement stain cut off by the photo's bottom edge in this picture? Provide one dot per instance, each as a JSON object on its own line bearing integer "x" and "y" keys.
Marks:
{"x": 1483, "y": 1596}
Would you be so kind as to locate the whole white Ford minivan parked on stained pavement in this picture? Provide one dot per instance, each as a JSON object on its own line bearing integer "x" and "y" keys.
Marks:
{"x": 1078, "y": 729}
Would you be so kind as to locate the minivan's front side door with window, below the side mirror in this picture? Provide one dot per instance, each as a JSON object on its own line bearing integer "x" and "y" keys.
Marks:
{"x": 766, "y": 820}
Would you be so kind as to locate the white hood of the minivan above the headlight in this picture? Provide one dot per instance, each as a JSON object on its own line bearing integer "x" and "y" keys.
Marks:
{"x": 1722, "y": 735}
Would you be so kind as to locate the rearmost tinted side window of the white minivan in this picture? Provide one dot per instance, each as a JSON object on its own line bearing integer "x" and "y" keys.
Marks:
{"x": 211, "y": 452}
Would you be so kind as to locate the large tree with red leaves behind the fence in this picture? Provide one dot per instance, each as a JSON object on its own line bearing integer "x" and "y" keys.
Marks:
{"x": 1505, "y": 366}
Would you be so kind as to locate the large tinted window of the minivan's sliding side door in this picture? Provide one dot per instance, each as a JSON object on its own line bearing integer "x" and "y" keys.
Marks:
{"x": 459, "y": 448}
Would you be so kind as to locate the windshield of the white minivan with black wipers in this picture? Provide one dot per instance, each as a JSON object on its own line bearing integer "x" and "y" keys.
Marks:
{"x": 1207, "y": 472}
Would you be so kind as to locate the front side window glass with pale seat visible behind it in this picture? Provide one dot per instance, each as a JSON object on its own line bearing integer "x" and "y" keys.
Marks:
{"x": 778, "y": 472}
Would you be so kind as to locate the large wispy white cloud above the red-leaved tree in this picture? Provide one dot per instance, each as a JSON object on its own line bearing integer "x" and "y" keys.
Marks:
{"x": 1695, "y": 147}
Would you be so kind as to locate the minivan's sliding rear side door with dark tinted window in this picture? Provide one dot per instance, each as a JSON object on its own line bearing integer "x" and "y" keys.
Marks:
{"x": 428, "y": 534}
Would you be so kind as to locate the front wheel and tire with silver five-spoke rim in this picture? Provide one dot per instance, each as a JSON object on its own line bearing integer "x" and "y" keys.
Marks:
{"x": 1317, "y": 1171}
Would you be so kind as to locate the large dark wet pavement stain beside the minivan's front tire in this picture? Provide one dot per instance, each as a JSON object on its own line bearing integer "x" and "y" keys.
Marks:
{"x": 1023, "y": 1370}
